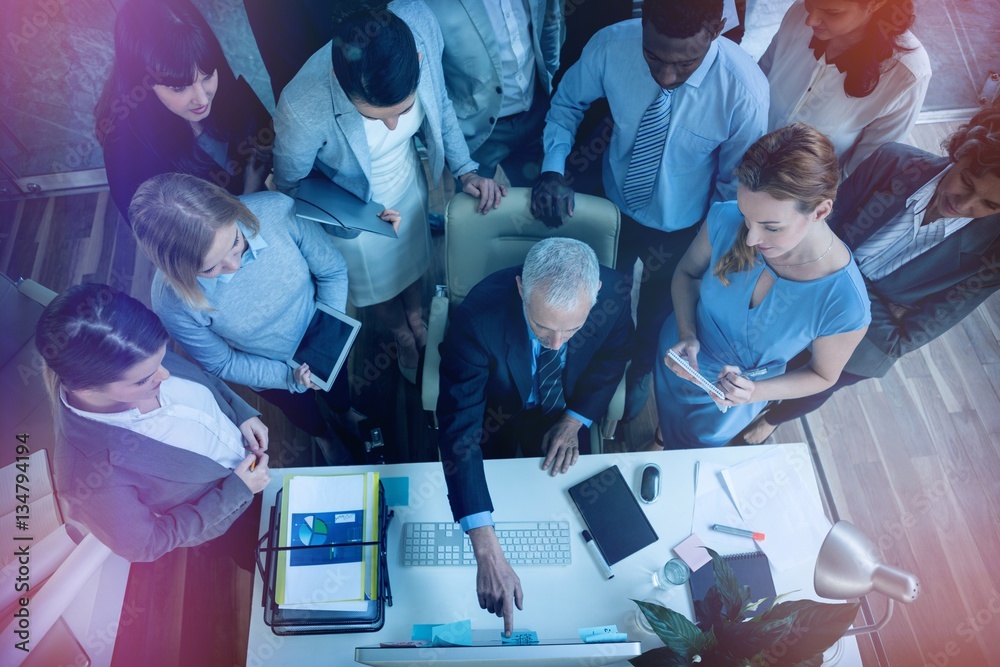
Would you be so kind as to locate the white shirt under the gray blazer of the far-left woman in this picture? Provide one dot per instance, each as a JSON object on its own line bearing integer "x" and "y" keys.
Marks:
{"x": 188, "y": 418}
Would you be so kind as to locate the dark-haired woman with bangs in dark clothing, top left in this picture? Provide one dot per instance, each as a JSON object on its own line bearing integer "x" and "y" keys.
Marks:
{"x": 172, "y": 104}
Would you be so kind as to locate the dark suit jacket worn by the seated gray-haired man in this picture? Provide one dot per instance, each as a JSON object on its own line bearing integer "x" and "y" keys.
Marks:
{"x": 486, "y": 374}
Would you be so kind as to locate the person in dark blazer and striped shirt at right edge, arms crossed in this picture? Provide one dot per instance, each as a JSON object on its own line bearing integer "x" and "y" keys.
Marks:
{"x": 925, "y": 232}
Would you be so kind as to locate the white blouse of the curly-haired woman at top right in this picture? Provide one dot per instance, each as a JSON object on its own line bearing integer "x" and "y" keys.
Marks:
{"x": 811, "y": 91}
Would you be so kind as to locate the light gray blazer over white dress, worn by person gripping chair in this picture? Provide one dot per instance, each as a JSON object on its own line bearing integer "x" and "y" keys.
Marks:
{"x": 316, "y": 124}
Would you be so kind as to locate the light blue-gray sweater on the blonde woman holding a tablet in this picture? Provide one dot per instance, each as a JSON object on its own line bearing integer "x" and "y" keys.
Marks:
{"x": 259, "y": 315}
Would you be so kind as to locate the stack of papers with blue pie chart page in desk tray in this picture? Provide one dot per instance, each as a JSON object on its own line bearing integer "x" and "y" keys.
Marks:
{"x": 328, "y": 514}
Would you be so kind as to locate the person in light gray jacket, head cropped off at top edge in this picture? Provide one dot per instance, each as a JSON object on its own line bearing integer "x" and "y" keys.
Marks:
{"x": 499, "y": 59}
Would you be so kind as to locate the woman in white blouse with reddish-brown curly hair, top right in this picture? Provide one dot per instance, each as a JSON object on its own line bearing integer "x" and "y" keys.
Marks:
{"x": 850, "y": 68}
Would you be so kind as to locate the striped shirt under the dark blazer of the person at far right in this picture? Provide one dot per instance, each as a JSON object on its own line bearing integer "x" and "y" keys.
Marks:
{"x": 906, "y": 236}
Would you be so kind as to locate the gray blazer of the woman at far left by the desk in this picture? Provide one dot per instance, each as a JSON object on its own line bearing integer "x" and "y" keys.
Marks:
{"x": 139, "y": 496}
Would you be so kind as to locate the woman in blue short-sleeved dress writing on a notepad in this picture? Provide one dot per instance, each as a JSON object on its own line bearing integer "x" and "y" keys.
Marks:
{"x": 764, "y": 279}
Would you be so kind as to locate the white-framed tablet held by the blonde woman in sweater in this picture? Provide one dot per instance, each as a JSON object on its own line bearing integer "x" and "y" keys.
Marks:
{"x": 325, "y": 345}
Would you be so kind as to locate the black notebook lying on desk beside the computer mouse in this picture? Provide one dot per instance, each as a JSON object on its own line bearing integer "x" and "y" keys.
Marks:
{"x": 613, "y": 515}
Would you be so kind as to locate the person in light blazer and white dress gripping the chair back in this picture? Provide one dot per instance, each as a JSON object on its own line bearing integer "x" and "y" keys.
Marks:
{"x": 356, "y": 124}
